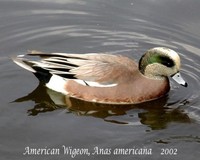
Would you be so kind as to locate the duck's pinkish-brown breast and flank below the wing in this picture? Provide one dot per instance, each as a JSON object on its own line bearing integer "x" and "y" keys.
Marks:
{"x": 135, "y": 90}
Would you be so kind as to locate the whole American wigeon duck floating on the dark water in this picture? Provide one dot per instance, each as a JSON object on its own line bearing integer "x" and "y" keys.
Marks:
{"x": 106, "y": 78}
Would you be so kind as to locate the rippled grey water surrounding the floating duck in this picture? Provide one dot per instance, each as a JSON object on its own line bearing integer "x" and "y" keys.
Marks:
{"x": 29, "y": 116}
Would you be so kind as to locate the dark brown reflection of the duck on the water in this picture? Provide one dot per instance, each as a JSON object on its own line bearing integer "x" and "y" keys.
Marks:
{"x": 156, "y": 114}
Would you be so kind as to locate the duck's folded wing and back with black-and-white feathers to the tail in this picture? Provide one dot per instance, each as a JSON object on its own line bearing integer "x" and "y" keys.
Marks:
{"x": 93, "y": 67}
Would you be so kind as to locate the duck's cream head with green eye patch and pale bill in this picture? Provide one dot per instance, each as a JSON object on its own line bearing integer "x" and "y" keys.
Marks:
{"x": 161, "y": 62}
